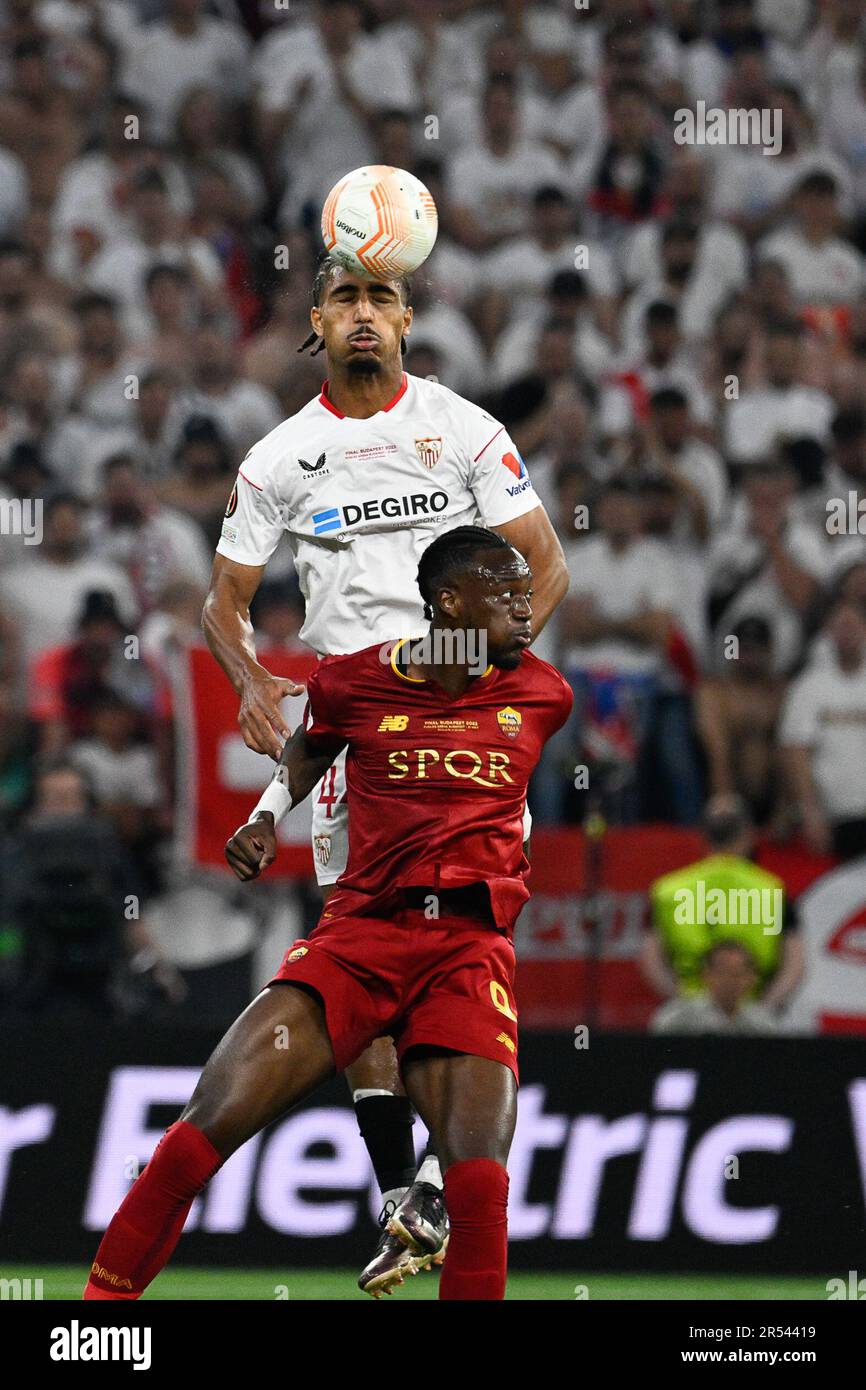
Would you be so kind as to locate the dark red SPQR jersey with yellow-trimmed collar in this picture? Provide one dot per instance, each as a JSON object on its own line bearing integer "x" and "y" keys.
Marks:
{"x": 436, "y": 785}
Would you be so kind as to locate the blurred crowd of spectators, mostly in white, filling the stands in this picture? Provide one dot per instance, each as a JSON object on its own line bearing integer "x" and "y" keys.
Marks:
{"x": 675, "y": 334}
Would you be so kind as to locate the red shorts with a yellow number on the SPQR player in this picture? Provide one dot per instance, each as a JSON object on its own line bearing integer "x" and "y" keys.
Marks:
{"x": 447, "y": 982}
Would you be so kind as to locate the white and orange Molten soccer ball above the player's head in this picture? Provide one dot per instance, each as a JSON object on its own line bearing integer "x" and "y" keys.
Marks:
{"x": 380, "y": 222}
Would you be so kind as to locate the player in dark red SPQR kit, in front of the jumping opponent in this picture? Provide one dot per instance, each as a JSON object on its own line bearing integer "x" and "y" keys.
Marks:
{"x": 416, "y": 942}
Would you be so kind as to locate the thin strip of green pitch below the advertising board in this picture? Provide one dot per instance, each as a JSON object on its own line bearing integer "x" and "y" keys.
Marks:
{"x": 62, "y": 1282}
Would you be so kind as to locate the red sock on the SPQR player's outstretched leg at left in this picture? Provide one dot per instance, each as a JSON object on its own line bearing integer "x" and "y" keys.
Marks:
{"x": 148, "y": 1224}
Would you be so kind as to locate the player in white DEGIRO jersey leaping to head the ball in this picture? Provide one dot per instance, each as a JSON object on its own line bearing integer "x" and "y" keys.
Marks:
{"x": 362, "y": 479}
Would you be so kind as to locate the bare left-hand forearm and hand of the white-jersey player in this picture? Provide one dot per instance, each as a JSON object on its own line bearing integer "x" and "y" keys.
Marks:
{"x": 226, "y": 622}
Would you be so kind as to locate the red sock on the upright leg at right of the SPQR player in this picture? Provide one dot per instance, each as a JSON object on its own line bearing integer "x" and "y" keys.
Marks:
{"x": 476, "y": 1195}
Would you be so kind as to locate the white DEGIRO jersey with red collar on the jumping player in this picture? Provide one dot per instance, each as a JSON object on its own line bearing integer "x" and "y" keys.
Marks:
{"x": 361, "y": 500}
